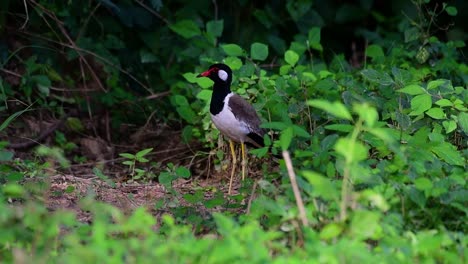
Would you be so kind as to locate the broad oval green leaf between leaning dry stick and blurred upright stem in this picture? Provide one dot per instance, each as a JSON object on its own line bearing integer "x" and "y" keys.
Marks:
{"x": 323, "y": 187}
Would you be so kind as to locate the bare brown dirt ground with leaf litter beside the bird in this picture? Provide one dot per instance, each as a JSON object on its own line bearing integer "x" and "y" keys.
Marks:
{"x": 112, "y": 183}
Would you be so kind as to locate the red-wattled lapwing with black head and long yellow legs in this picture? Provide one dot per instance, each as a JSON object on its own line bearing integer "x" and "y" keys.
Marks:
{"x": 233, "y": 115}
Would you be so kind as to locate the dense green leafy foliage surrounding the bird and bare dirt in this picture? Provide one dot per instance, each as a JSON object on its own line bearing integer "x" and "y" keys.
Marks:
{"x": 378, "y": 144}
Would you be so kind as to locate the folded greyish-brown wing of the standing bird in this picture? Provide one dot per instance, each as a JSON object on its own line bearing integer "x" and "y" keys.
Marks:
{"x": 245, "y": 112}
